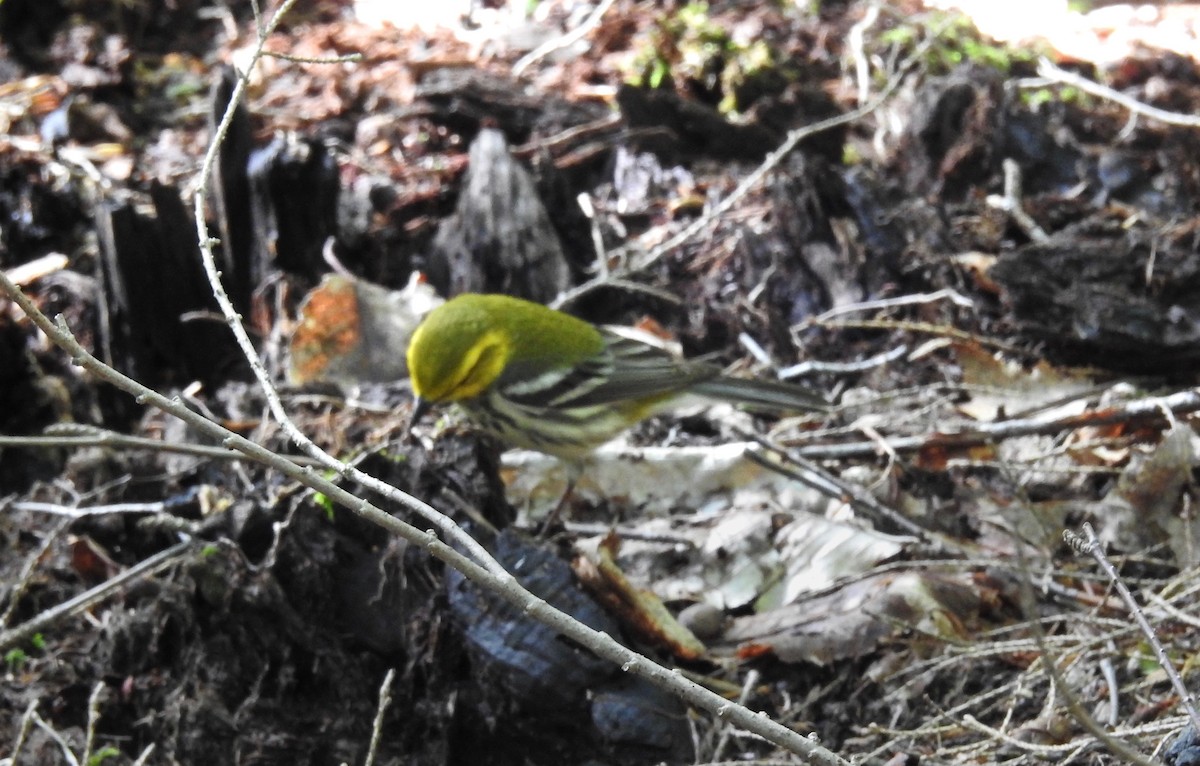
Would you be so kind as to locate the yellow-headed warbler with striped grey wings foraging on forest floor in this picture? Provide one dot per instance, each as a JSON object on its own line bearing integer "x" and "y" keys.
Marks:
{"x": 547, "y": 381}
